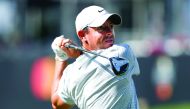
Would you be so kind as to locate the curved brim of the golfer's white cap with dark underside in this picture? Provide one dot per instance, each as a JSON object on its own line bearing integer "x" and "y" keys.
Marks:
{"x": 114, "y": 18}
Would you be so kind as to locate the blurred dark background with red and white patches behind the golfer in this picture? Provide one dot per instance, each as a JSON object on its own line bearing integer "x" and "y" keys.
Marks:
{"x": 157, "y": 30}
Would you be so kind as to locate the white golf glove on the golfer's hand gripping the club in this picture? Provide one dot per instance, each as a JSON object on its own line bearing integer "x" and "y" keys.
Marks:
{"x": 60, "y": 55}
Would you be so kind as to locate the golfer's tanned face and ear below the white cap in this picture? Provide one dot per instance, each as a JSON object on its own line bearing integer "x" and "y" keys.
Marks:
{"x": 99, "y": 37}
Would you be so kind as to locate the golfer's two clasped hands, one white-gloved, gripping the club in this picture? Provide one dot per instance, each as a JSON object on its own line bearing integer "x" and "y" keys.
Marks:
{"x": 61, "y": 52}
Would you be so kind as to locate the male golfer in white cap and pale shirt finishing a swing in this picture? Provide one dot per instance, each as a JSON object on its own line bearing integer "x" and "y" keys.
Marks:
{"x": 90, "y": 82}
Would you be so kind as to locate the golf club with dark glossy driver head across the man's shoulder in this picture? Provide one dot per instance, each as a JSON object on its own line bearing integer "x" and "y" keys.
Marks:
{"x": 119, "y": 65}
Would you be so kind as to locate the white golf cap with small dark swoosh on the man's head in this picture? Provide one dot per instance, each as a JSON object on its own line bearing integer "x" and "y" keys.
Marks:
{"x": 95, "y": 16}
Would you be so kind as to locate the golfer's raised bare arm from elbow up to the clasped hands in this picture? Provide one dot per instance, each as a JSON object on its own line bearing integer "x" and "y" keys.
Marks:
{"x": 61, "y": 55}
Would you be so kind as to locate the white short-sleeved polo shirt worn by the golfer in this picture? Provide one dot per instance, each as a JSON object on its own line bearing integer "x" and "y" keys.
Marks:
{"x": 90, "y": 83}
